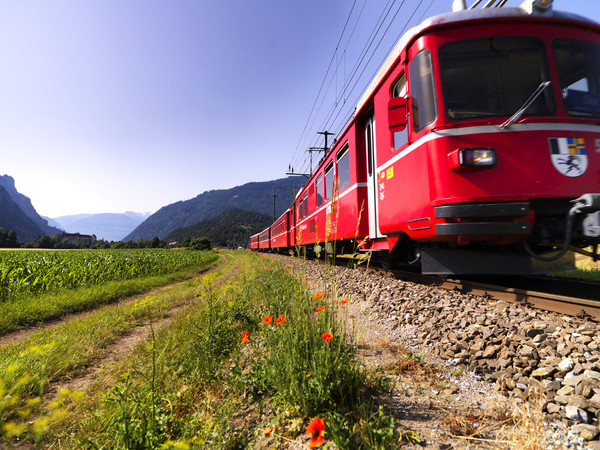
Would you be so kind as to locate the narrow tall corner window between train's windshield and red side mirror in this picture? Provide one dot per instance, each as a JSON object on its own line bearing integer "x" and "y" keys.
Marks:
{"x": 422, "y": 90}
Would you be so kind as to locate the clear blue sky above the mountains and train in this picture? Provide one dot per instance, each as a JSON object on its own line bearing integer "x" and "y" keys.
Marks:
{"x": 115, "y": 105}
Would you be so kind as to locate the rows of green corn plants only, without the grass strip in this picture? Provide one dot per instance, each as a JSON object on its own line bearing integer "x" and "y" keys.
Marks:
{"x": 35, "y": 272}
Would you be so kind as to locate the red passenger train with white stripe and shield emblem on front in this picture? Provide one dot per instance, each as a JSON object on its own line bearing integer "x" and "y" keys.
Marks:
{"x": 476, "y": 149}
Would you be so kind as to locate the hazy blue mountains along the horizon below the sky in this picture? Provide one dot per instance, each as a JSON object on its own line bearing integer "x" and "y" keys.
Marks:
{"x": 269, "y": 199}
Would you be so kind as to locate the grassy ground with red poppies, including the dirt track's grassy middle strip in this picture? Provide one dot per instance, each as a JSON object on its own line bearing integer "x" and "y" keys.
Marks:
{"x": 248, "y": 358}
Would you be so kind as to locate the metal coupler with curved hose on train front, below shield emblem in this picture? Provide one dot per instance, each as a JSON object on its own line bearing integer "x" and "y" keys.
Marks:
{"x": 588, "y": 205}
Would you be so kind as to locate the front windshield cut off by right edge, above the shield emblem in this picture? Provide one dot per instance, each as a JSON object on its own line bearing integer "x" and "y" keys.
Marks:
{"x": 578, "y": 66}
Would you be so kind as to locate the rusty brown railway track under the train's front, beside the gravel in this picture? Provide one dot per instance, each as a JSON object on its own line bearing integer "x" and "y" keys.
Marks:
{"x": 548, "y": 294}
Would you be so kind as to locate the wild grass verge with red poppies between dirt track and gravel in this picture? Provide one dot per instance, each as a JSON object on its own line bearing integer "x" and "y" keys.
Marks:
{"x": 250, "y": 363}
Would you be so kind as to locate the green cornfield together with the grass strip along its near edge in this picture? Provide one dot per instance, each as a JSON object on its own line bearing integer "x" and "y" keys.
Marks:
{"x": 39, "y": 286}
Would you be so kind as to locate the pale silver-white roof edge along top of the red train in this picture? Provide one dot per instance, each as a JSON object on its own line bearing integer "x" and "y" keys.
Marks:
{"x": 525, "y": 10}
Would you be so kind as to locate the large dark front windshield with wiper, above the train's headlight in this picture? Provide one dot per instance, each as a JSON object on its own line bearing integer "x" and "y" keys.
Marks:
{"x": 494, "y": 77}
